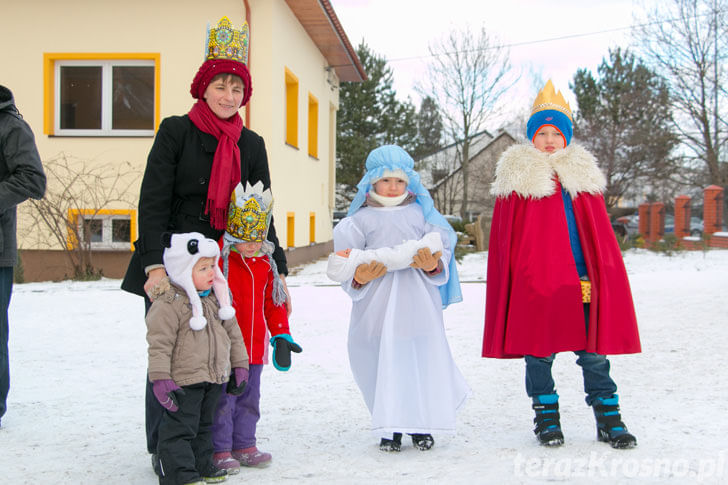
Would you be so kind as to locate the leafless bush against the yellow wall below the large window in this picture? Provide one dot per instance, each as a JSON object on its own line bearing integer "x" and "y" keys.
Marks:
{"x": 77, "y": 193}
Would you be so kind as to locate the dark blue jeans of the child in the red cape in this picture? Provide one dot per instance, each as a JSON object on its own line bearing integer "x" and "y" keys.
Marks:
{"x": 595, "y": 368}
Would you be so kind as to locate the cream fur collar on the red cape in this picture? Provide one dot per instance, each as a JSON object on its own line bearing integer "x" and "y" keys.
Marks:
{"x": 530, "y": 172}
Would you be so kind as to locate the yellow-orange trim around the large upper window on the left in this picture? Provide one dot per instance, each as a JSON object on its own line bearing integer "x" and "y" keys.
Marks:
{"x": 50, "y": 58}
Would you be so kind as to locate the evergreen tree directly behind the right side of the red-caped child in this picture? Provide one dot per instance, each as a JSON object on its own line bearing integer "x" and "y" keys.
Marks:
{"x": 624, "y": 120}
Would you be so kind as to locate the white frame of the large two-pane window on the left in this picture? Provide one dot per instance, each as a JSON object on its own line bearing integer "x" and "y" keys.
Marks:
{"x": 106, "y": 97}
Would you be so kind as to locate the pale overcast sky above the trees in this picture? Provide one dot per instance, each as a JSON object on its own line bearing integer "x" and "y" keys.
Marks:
{"x": 401, "y": 30}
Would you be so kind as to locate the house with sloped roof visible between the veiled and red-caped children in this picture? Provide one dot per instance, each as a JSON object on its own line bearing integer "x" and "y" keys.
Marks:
{"x": 441, "y": 173}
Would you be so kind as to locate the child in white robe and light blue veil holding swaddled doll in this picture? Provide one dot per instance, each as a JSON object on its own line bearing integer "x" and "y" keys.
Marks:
{"x": 397, "y": 345}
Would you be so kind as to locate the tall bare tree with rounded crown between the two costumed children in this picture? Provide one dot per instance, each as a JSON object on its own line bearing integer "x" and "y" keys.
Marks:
{"x": 467, "y": 76}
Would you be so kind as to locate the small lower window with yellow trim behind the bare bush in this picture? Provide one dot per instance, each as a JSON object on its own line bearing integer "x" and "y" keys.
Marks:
{"x": 104, "y": 229}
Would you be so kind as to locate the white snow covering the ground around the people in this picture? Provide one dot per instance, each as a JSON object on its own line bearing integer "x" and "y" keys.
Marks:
{"x": 78, "y": 358}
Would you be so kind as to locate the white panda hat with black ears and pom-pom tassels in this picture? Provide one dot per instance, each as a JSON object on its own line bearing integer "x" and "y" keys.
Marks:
{"x": 181, "y": 253}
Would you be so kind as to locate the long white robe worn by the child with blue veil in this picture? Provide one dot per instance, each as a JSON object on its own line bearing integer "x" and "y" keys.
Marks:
{"x": 398, "y": 350}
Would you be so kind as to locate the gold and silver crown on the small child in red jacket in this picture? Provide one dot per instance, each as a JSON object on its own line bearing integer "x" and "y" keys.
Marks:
{"x": 250, "y": 212}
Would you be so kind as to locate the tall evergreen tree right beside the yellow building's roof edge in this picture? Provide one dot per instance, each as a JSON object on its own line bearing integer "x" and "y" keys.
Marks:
{"x": 369, "y": 116}
